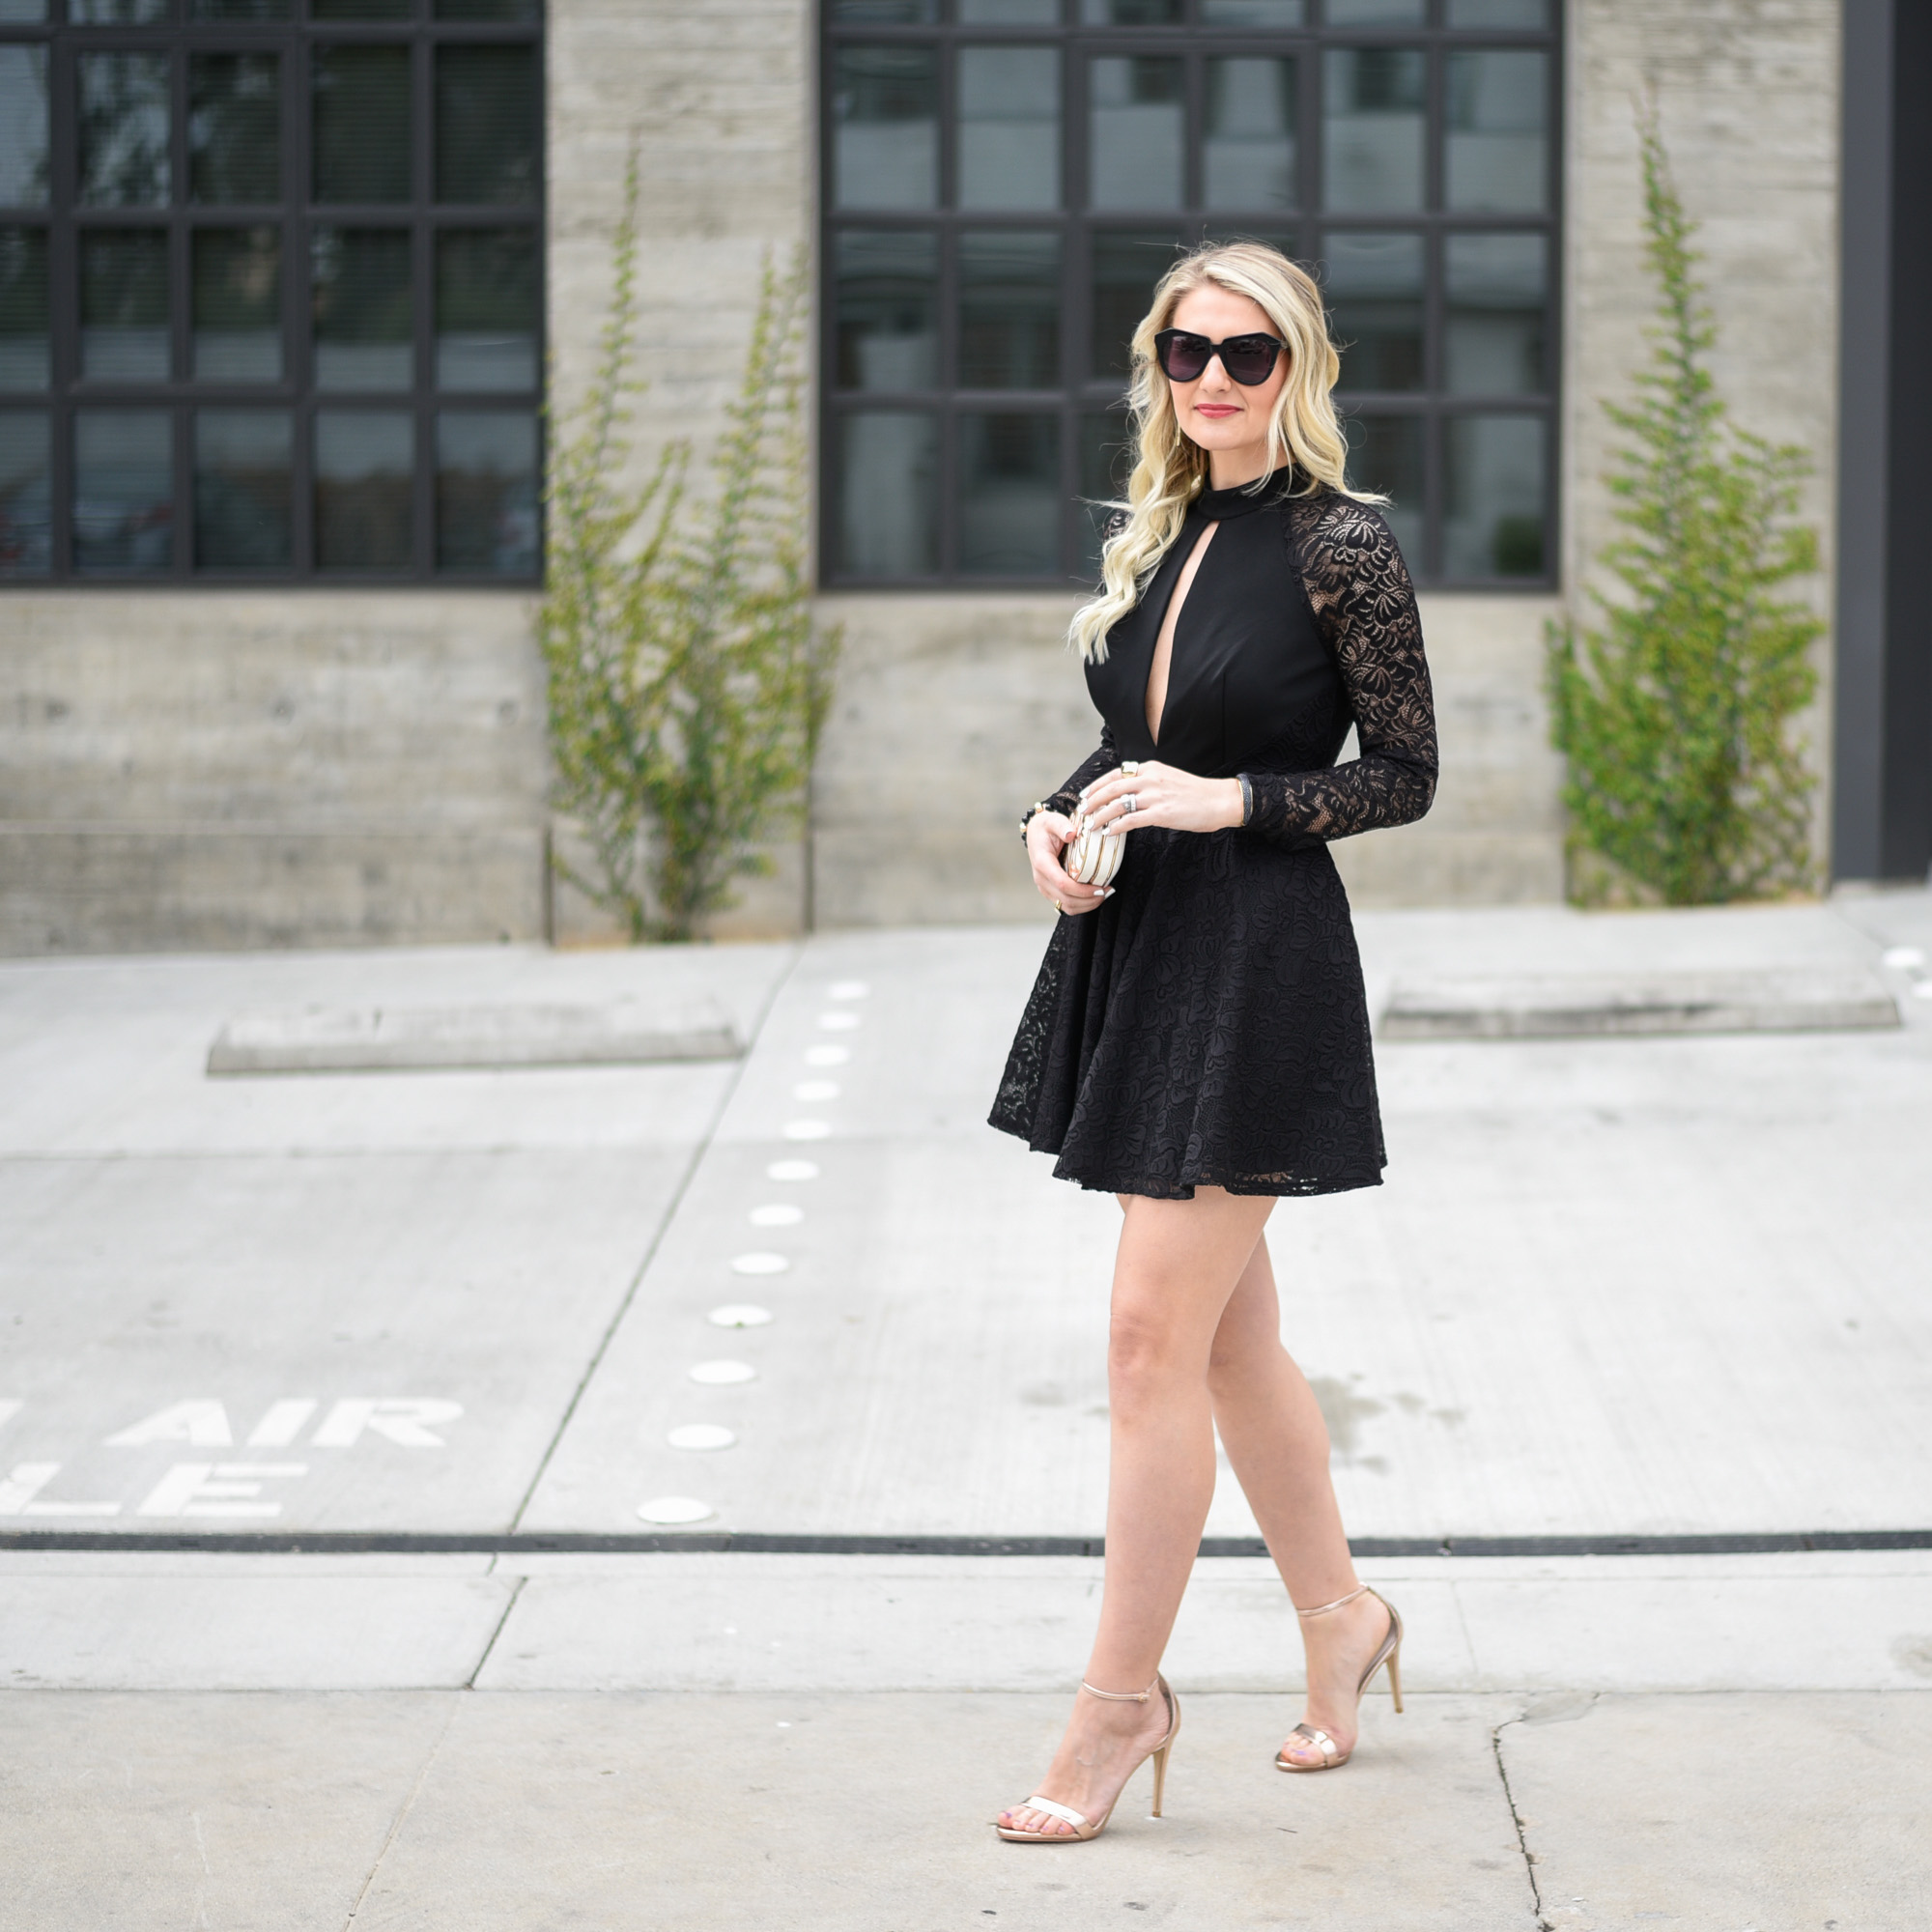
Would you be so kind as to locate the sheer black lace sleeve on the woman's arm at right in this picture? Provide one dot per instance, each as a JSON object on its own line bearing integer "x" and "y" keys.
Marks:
{"x": 1367, "y": 608}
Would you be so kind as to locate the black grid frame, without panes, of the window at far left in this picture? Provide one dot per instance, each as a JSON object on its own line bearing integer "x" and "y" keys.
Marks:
{"x": 297, "y": 215}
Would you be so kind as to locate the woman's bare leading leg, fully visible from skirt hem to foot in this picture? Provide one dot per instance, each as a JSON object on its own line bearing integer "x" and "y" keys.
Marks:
{"x": 1174, "y": 1276}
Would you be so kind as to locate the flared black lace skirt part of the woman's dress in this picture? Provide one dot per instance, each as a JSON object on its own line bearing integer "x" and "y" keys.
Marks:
{"x": 1205, "y": 1029}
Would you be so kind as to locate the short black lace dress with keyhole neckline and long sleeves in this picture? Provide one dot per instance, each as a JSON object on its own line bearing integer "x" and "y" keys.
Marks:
{"x": 1208, "y": 1023}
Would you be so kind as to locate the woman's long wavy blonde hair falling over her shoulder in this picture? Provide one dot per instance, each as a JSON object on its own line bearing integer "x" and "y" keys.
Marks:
{"x": 1170, "y": 469}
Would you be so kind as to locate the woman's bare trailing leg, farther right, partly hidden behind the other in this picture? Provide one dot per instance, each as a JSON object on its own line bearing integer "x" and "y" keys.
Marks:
{"x": 1278, "y": 1446}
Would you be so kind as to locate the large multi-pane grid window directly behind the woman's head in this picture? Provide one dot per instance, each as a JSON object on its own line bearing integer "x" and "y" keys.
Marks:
{"x": 1006, "y": 181}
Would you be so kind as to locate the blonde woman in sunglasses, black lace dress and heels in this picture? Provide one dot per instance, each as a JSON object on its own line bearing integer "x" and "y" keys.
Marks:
{"x": 1199, "y": 1037}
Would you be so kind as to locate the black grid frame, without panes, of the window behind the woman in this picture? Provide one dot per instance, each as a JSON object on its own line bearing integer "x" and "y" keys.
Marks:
{"x": 1083, "y": 395}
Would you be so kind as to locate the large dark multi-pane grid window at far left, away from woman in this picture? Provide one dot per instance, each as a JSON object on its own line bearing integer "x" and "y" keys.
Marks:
{"x": 271, "y": 291}
